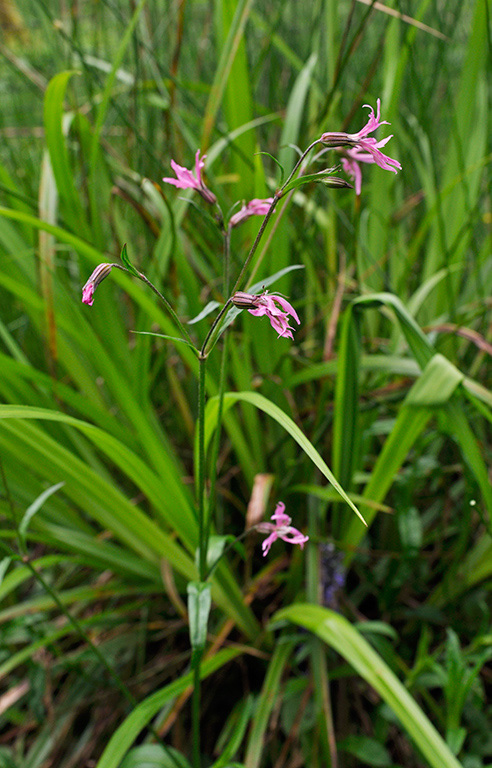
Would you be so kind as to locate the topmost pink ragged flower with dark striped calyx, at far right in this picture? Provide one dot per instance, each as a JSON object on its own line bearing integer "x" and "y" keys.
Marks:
{"x": 361, "y": 148}
